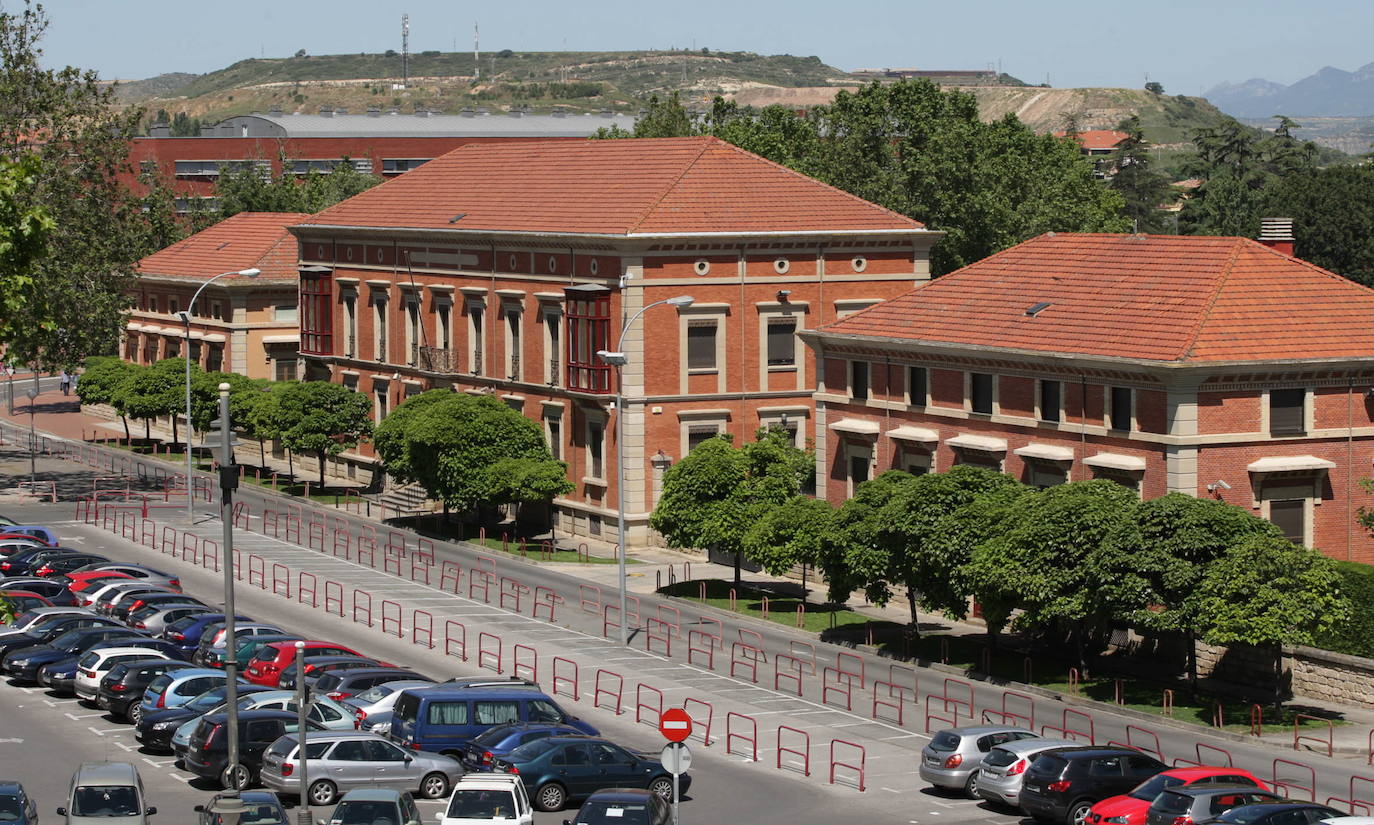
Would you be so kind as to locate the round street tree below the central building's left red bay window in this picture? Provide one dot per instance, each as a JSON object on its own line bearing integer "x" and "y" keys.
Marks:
{"x": 324, "y": 419}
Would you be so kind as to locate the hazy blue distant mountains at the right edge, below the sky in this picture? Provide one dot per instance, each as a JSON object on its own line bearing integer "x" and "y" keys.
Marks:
{"x": 1331, "y": 93}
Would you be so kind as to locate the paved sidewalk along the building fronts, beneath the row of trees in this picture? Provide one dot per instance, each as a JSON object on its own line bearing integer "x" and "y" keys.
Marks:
{"x": 63, "y": 417}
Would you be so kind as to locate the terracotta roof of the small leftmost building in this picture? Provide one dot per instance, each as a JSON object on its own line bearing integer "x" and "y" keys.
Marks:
{"x": 240, "y": 243}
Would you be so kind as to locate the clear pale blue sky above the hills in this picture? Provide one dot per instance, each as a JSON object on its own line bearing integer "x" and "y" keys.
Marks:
{"x": 1189, "y": 46}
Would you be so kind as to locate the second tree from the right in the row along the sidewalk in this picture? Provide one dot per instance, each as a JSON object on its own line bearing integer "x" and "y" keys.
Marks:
{"x": 1166, "y": 552}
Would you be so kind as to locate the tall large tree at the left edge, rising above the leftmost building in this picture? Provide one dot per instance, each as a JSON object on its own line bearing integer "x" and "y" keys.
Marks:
{"x": 72, "y": 122}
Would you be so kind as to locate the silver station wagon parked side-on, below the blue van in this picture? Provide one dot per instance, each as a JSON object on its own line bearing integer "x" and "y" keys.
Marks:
{"x": 343, "y": 761}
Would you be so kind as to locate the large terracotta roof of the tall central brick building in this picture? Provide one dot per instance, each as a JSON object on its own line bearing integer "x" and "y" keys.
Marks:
{"x": 616, "y": 188}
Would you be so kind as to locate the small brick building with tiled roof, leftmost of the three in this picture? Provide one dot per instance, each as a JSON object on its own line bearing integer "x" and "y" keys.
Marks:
{"x": 240, "y": 325}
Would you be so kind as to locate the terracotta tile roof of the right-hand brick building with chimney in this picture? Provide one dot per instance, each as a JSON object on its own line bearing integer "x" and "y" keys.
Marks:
{"x": 1153, "y": 298}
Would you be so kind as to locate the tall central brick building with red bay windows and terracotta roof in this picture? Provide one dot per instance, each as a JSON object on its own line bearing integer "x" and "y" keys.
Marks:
{"x": 504, "y": 269}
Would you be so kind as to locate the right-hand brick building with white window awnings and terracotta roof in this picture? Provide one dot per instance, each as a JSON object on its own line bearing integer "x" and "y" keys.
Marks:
{"x": 1211, "y": 366}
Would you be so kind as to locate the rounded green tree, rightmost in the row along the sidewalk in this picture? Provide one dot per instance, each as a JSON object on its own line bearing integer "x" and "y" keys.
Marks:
{"x": 1269, "y": 592}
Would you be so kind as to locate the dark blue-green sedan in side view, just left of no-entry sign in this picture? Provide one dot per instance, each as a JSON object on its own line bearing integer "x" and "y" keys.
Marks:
{"x": 564, "y": 768}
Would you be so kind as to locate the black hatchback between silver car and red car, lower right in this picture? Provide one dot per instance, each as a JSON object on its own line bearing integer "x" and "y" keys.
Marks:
{"x": 1064, "y": 784}
